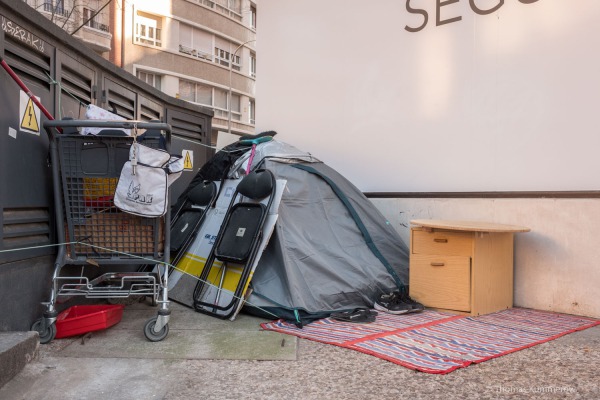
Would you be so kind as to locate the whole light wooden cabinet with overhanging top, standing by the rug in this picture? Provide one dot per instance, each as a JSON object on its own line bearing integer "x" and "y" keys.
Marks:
{"x": 462, "y": 266}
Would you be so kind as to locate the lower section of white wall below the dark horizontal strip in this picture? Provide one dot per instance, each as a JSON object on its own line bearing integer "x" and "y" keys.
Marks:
{"x": 556, "y": 264}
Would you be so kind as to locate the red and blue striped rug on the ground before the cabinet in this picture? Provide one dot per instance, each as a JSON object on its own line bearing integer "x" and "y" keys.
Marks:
{"x": 439, "y": 343}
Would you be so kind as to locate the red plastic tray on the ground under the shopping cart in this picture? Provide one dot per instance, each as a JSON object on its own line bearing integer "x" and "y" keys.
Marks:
{"x": 78, "y": 320}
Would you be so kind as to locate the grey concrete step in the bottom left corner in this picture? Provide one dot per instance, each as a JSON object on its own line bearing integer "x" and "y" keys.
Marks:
{"x": 16, "y": 350}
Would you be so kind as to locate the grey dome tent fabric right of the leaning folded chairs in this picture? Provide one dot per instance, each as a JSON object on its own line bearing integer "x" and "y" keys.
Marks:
{"x": 318, "y": 260}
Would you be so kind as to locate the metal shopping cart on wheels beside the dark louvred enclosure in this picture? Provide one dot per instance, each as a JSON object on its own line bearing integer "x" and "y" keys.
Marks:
{"x": 95, "y": 236}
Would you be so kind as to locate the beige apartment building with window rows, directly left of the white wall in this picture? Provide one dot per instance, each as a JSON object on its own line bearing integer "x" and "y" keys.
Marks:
{"x": 201, "y": 51}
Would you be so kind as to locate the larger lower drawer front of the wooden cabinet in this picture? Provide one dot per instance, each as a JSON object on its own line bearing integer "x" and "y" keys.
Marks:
{"x": 441, "y": 281}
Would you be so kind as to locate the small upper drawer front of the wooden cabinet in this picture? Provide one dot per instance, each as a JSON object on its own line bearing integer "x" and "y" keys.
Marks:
{"x": 442, "y": 243}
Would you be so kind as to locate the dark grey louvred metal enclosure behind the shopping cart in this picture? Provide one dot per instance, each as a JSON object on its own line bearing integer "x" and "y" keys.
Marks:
{"x": 66, "y": 76}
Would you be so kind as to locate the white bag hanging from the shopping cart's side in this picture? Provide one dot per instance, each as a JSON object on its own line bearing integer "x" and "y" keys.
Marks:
{"x": 143, "y": 185}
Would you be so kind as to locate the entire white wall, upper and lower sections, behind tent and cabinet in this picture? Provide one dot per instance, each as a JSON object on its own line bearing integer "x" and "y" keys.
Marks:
{"x": 507, "y": 101}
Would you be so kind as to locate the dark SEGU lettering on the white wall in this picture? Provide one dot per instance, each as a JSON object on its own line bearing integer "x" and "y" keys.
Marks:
{"x": 445, "y": 16}
